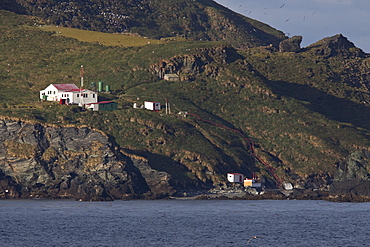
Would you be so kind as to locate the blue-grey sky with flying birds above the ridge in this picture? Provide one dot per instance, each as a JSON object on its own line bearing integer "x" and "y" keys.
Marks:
{"x": 312, "y": 19}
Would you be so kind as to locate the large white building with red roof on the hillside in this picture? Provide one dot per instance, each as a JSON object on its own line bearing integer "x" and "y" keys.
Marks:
{"x": 68, "y": 94}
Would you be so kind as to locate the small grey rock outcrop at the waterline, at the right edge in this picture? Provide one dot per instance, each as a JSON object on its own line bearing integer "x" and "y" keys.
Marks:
{"x": 352, "y": 176}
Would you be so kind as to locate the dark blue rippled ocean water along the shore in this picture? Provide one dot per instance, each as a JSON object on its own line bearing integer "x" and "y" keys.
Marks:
{"x": 183, "y": 223}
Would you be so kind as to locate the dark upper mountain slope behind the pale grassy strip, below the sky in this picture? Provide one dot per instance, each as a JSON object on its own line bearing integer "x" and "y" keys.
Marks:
{"x": 197, "y": 20}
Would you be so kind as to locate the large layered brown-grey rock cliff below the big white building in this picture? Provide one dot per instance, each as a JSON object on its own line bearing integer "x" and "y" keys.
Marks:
{"x": 66, "y": 162}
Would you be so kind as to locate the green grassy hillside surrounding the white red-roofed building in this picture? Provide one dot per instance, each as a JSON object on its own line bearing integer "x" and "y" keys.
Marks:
{"x": 304, "y": 111}
